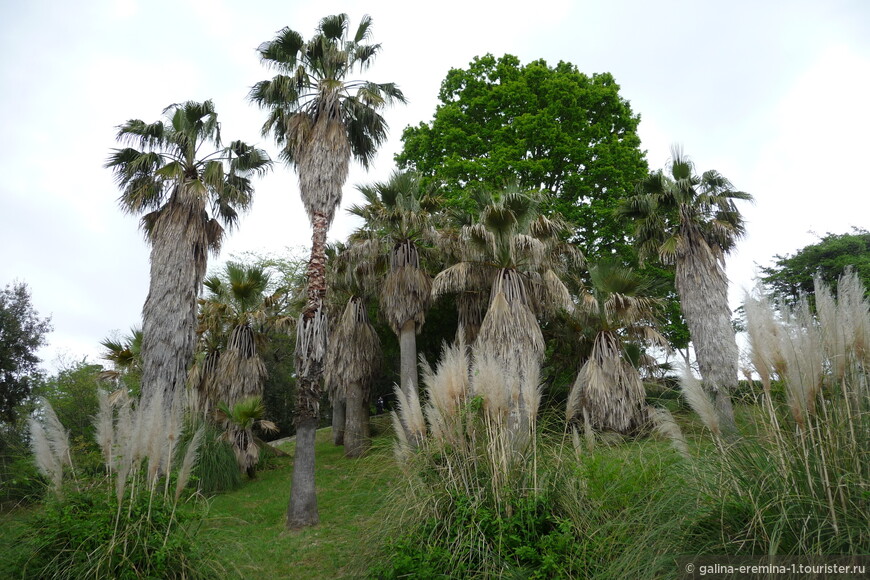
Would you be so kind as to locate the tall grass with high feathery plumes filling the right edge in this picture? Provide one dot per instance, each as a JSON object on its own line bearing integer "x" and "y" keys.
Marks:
{"x": 800, "y": 483}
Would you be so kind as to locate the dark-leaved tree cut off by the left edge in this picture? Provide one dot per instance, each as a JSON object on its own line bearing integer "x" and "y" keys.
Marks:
{"x": 22, "y": 332}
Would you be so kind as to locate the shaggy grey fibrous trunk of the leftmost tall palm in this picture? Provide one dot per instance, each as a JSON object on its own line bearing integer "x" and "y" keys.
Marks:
{"x": 179, "y": 254}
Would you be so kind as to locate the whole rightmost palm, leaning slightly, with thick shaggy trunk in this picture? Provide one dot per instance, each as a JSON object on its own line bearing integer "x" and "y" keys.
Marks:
{"x": 692, "y": 222}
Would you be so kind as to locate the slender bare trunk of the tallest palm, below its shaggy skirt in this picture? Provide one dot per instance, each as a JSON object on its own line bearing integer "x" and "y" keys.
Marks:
{"x": 310, "y": 352}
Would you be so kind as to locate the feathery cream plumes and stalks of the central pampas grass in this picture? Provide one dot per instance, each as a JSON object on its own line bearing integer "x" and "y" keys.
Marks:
{"x": 477, "y": 427}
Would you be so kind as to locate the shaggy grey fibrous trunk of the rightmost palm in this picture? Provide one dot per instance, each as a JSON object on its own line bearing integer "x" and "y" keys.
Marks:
{"x": 703, "y": 288}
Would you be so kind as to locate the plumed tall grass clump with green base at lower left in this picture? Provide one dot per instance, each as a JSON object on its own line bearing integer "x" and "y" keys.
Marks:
{"x": 131, "y": 523}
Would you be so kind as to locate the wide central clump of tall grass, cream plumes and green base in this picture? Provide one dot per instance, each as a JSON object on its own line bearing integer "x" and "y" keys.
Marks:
{"x": 488, "y": 492}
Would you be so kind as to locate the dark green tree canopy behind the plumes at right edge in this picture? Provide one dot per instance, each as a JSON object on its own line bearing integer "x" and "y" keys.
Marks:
{"x": 792, "y": 275}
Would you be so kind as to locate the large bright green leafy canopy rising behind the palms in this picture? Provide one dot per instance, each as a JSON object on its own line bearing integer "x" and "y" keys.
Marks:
{"x": 549, "y": 128}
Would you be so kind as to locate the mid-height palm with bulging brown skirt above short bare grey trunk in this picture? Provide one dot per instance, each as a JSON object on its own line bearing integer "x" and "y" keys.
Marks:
{"x": 398, "y": 216}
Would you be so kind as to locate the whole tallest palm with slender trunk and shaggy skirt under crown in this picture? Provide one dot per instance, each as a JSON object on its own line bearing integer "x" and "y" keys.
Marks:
{"x": 320, "y": 125}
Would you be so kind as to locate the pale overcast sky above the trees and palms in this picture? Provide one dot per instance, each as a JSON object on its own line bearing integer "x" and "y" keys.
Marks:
{"x": 773, "y": 94}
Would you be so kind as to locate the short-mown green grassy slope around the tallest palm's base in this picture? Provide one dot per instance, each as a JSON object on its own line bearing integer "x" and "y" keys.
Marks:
{"x": 250, "y": 522}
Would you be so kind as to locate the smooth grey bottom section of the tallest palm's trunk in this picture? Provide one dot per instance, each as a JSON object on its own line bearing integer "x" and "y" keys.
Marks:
{"x": 302, "y": 510}
